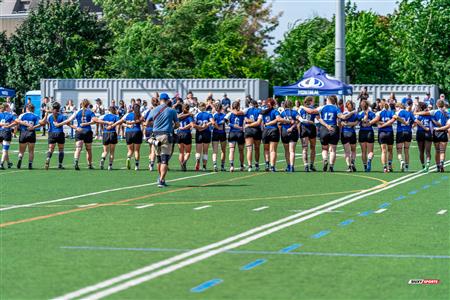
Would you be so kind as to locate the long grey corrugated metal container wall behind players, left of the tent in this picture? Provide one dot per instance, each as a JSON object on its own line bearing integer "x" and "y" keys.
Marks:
{"x": 125, "y": 89}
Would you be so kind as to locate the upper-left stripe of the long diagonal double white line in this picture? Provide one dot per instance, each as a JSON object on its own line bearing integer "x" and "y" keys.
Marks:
{"x": 163, "y": 263}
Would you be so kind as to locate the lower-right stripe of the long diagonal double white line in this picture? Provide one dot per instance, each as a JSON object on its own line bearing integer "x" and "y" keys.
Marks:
{"x": 205, "y": 255}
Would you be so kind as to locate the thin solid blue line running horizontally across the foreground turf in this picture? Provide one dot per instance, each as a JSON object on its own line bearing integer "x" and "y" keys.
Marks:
{"x": 259, "y": 252}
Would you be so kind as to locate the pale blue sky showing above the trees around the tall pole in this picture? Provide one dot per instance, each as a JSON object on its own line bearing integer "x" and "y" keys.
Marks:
{"x": 294, "y": 10}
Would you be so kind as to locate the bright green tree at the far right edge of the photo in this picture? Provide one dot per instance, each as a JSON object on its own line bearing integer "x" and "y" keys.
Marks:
{"x": 421, "y": 43}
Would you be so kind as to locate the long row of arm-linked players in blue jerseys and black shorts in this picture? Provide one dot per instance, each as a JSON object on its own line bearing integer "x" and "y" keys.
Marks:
{"x": 243, "y": 131}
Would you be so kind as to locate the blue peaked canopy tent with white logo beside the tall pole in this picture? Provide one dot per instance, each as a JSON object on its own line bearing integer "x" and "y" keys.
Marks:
{"x": 315, "y": 82}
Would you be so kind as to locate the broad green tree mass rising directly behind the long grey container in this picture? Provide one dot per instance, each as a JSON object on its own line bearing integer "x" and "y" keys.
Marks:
{"x": 195, "y": 38}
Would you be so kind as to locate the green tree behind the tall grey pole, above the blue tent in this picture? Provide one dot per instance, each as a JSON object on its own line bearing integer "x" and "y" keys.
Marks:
{"x": 312, "y": 42}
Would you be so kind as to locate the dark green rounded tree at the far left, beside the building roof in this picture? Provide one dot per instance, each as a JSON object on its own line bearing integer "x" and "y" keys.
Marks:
{"x": 57, "y": 40}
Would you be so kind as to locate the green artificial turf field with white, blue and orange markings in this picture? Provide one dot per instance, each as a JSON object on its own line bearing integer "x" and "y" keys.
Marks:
{"x": 221, "y": 235}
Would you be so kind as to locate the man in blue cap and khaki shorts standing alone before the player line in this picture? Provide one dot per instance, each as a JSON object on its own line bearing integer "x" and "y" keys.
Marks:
{"x": 164, "y": 121}
